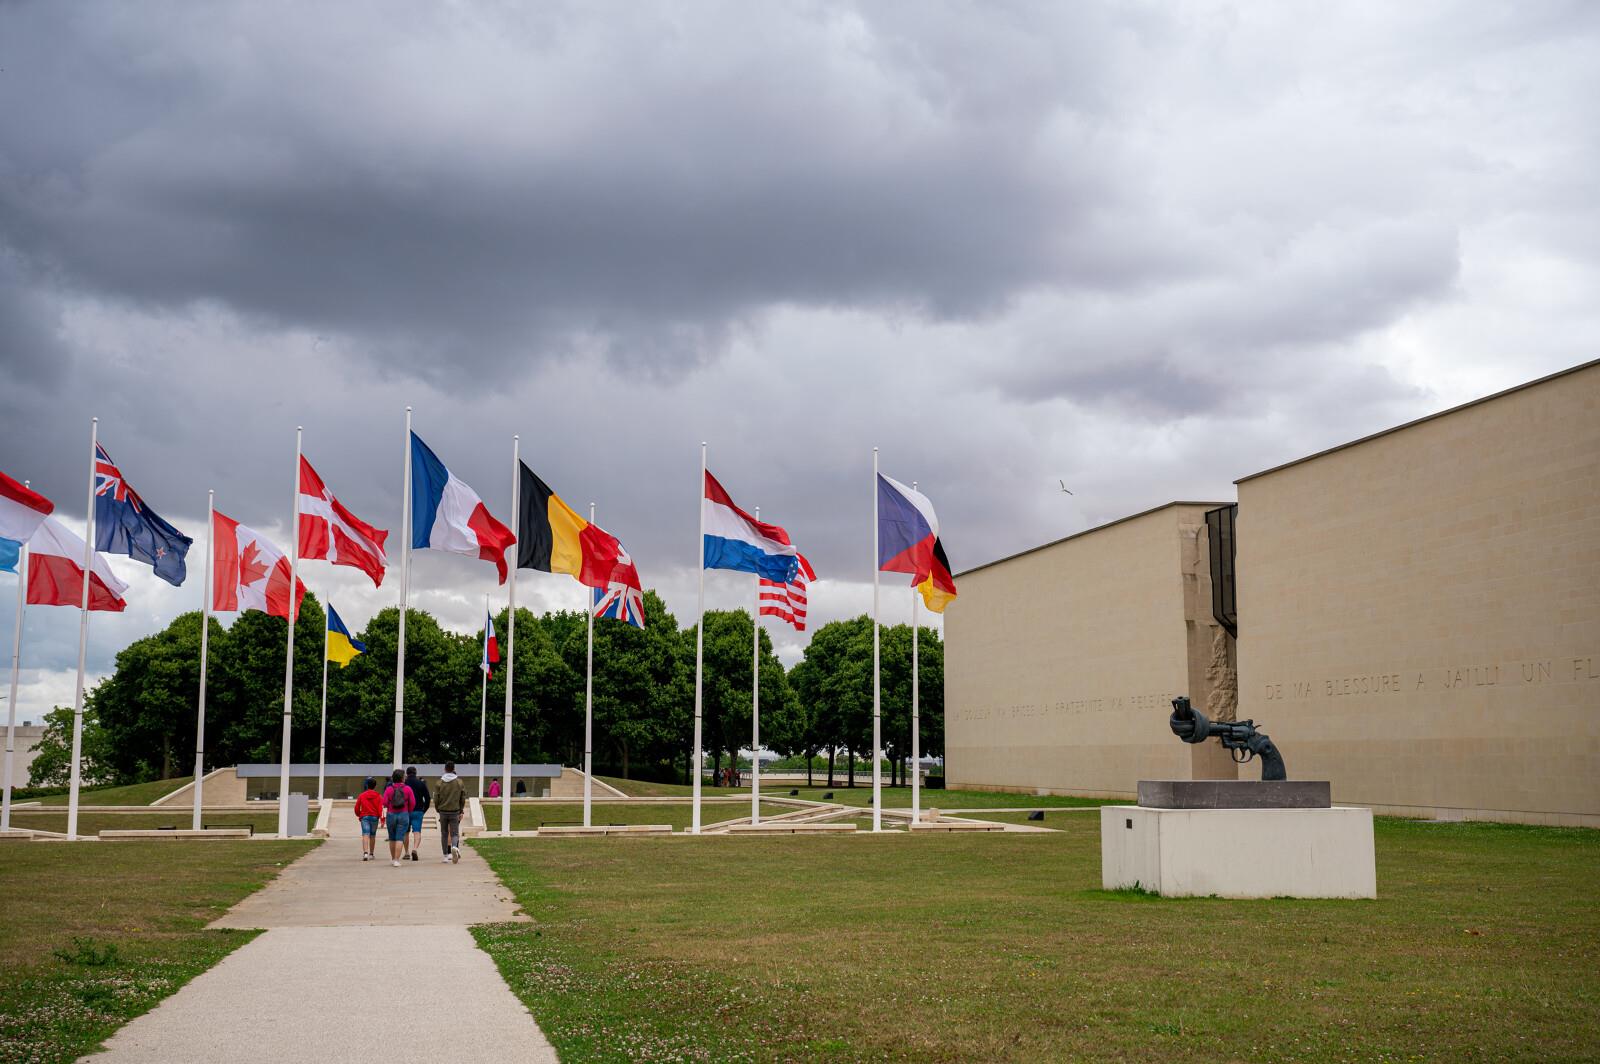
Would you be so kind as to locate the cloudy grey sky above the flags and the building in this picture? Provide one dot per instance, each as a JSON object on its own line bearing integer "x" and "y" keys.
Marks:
{"x": 1143, "y": 249}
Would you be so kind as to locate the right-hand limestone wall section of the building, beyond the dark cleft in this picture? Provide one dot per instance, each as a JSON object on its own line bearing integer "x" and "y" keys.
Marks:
{"x": 1420, "y": 612}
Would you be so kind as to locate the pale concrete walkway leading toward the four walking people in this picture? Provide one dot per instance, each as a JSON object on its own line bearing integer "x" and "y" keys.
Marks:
{"x": 314, "y": 988}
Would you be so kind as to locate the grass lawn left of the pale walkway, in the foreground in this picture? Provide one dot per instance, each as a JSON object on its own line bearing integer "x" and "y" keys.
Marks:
{"x": 150, "y": 903}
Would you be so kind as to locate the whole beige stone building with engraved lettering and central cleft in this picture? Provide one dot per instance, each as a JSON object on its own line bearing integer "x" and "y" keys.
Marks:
{"x": 1414, "y": 617}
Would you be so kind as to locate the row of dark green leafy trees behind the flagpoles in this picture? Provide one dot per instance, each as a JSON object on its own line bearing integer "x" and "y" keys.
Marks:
{"x": 140, "y": 722}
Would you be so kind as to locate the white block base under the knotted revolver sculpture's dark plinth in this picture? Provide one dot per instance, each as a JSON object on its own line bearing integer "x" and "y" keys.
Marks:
{"x": 1239, "y": 854}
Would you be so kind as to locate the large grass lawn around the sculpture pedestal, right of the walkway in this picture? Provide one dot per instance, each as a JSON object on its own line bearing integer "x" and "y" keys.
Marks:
{"x": 1482, "y": 946}
